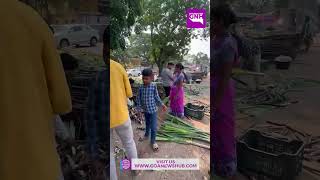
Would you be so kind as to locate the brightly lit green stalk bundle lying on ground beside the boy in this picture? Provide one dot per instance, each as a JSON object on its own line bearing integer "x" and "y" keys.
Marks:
{"x": 182, "y": 132}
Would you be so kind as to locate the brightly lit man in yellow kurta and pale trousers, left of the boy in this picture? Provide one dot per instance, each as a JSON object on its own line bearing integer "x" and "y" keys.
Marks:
{"x": 120, "y": 122}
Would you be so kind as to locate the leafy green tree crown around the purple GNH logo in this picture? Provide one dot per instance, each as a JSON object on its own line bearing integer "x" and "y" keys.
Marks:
{"x": 166, "y": 22}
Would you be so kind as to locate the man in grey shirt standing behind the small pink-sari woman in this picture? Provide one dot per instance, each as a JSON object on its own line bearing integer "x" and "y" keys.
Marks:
{"x": 167, "y": 78}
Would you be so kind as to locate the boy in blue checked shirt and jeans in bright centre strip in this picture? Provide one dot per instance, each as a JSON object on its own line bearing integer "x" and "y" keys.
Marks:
{"x": 148, "y": 101}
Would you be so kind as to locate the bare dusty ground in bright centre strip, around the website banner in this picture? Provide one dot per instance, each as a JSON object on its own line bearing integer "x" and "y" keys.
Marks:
{"x": 173, "y": 150}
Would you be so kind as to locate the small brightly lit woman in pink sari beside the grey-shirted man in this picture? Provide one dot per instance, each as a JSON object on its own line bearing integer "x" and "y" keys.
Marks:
{"x": 177, "y": 92}
